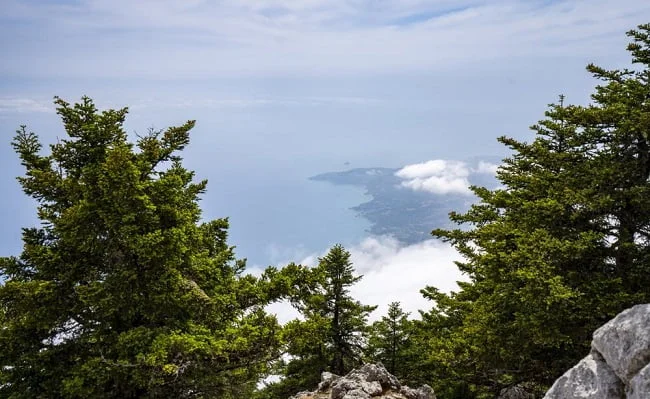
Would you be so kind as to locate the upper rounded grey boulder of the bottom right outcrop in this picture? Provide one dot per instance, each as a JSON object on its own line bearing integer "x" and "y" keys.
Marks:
{"x": 624, "y": 342}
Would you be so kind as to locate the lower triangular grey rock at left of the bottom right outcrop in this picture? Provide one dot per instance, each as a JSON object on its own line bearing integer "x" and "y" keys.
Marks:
{"x": 591, "y": 378}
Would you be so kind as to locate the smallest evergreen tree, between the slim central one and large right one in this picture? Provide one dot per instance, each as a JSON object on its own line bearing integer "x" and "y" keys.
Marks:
{"x": 389, "y": 341}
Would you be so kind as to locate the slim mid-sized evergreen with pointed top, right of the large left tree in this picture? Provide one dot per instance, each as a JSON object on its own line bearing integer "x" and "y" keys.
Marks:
{"x": 332, "y": 335}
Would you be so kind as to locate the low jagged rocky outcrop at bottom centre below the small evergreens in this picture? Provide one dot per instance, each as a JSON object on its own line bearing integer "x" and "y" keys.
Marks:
{"x": 369, "y": 381}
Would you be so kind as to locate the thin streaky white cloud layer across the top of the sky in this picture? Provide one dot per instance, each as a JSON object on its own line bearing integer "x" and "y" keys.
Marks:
{"x": 172, "y": 40}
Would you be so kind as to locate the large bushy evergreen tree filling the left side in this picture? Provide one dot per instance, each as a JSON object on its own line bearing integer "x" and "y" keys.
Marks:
{"x": 122, "y": 292}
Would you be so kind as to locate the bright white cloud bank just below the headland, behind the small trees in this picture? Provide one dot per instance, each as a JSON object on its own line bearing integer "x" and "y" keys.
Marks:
{"x": 393, "y": 272}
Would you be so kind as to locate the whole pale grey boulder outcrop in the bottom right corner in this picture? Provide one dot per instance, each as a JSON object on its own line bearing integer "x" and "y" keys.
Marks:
{"x": 618, "y": 366}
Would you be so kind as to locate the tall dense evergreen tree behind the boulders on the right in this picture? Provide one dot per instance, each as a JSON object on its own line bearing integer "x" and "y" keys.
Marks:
{"x": 560, "y": 249}
